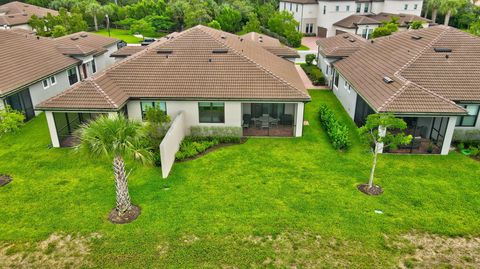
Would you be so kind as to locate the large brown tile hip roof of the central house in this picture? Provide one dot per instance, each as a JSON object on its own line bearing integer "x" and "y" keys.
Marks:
{"x": 199, "y": 63}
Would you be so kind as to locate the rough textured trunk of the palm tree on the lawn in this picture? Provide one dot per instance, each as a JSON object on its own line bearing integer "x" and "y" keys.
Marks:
{"x": 121, "y": 185}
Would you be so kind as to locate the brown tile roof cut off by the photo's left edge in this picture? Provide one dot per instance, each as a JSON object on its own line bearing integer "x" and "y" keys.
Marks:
{"x": 24, "y": 59}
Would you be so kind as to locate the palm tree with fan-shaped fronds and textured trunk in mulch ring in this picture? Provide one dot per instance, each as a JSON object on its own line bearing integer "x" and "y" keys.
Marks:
{"x": 116, "y": 137}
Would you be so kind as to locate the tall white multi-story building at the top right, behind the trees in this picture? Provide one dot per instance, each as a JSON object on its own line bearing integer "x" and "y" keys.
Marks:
{"x": 317, "y": 17}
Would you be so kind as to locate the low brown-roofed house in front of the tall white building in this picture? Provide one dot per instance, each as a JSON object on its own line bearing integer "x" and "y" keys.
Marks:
{"x": 363, "y": 25}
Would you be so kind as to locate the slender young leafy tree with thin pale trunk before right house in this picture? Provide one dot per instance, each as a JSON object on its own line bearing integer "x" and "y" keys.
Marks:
{"x": 382, "y": 131}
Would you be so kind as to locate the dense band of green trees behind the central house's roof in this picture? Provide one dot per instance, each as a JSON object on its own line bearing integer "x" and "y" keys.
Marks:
{"x": 155, "y": 18}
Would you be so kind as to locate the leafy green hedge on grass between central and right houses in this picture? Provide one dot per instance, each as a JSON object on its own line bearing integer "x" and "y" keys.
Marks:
{"x": 336, "y": 131}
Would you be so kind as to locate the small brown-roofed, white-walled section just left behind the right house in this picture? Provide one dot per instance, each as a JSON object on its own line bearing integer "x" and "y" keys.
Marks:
{"x": 335, "y": 48}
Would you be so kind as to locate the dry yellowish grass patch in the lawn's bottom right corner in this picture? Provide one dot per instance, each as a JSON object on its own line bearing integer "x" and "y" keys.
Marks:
{"x": 434, "y": 251}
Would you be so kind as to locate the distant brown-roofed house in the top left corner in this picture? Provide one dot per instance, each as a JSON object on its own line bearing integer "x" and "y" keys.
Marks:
{"x": 17, "y": 14}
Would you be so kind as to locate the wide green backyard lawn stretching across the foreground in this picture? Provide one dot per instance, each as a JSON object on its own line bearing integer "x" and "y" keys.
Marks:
{"x": 272, "y": 203}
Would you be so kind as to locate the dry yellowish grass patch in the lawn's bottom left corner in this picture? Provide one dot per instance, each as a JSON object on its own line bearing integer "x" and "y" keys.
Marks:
{"x": 57, "y": 251}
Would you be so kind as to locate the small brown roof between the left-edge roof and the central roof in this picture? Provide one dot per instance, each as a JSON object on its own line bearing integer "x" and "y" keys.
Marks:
{"x": 83, "y": 43}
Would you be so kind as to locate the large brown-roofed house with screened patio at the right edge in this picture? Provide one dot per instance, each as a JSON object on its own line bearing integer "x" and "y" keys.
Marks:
{"x": 429, "y": 77}
